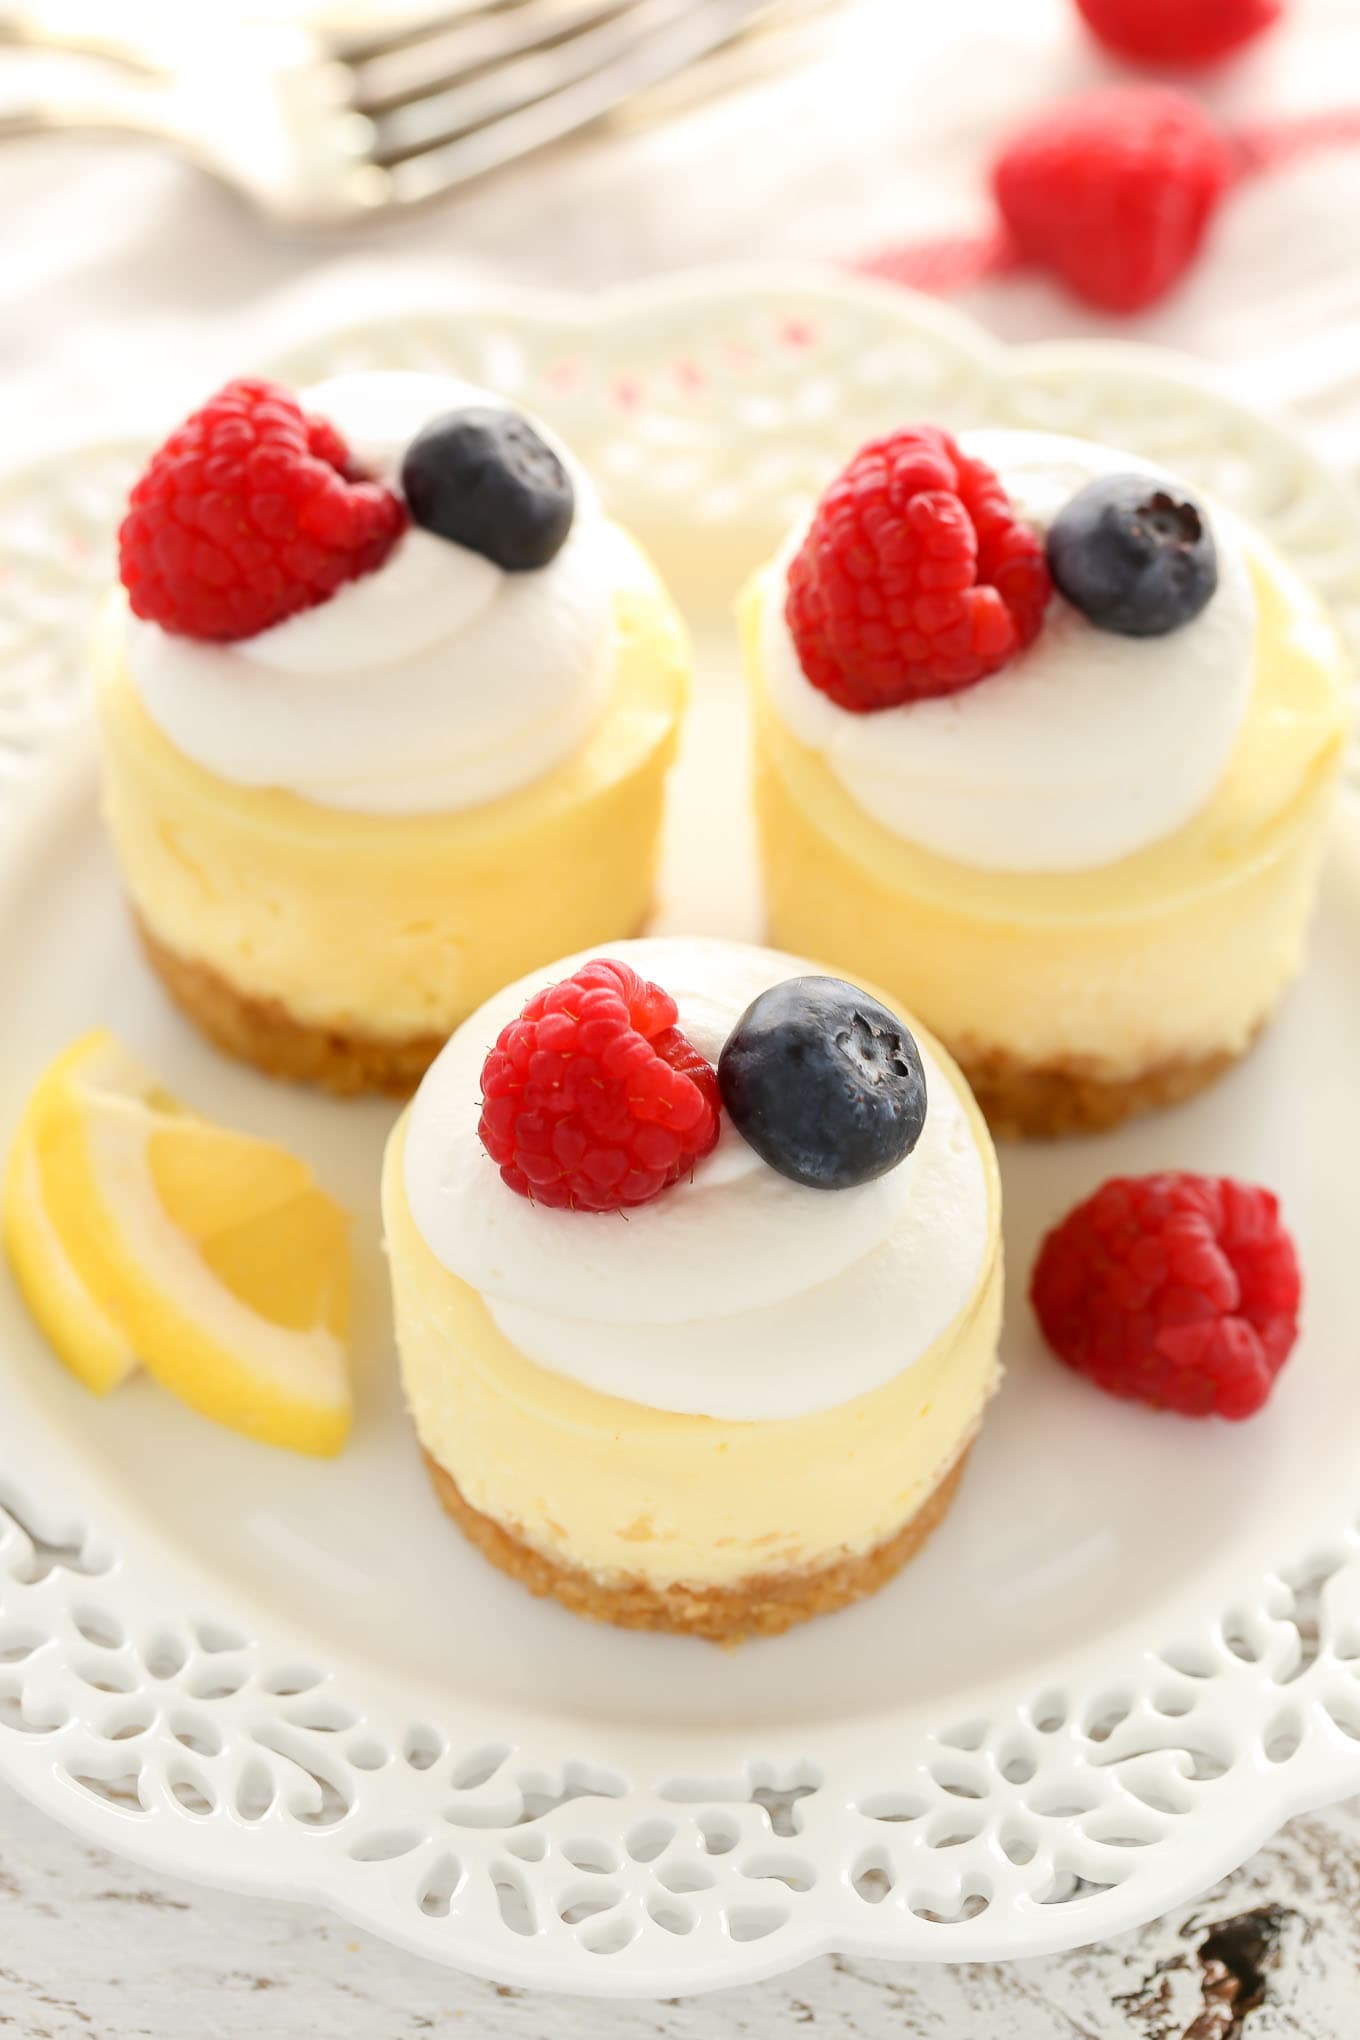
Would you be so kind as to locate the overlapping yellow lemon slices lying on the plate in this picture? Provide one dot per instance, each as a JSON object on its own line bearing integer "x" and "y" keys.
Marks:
{"x": 142, "y": 1233}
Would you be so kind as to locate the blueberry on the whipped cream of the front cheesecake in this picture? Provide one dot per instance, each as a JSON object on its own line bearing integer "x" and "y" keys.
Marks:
{"x": 825, "y": 1084}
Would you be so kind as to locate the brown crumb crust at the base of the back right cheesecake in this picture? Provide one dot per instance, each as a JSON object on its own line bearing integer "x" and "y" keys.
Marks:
{"x": 1045, "y": 1101}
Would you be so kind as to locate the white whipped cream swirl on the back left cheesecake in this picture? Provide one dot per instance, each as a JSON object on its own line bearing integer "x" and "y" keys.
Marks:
{"x": 433, "y": 684}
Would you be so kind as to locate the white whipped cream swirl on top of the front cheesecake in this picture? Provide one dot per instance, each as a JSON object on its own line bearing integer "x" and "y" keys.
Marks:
{"x": 737, "y": 1294}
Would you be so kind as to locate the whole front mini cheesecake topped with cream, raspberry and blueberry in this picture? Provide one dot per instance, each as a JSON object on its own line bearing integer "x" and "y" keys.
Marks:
{"x": 753, "y": 1400}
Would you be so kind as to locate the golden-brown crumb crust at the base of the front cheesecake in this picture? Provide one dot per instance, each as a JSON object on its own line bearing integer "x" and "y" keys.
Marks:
{"x": 766, "y": 1604}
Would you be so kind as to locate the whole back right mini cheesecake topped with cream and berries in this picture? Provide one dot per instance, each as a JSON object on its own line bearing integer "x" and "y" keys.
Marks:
{"x": 1090, "y": 862}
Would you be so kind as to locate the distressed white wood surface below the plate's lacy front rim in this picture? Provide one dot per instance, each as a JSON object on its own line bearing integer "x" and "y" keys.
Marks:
{"x": 95, "y": 1949}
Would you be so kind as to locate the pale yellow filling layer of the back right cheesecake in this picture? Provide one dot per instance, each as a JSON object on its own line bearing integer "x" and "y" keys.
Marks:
{"x": 1175, "y": 952}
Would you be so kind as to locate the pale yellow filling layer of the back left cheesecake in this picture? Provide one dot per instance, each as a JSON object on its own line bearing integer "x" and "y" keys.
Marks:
{"x": 399, "y": 925}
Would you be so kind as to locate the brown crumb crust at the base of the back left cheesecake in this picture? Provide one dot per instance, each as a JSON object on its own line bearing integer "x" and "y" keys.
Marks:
{"x": 266, "y": 1035}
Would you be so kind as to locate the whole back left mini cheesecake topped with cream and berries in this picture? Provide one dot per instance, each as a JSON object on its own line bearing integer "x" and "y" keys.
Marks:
{"x": 441, "y": 764}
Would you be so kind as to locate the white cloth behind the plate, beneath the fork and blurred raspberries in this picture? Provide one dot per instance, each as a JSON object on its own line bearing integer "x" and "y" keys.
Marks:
{"x": 125, "y": 274}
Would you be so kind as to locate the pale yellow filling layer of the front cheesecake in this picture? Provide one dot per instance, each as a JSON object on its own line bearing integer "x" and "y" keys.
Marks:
{"x": 631, "y": 1492}
